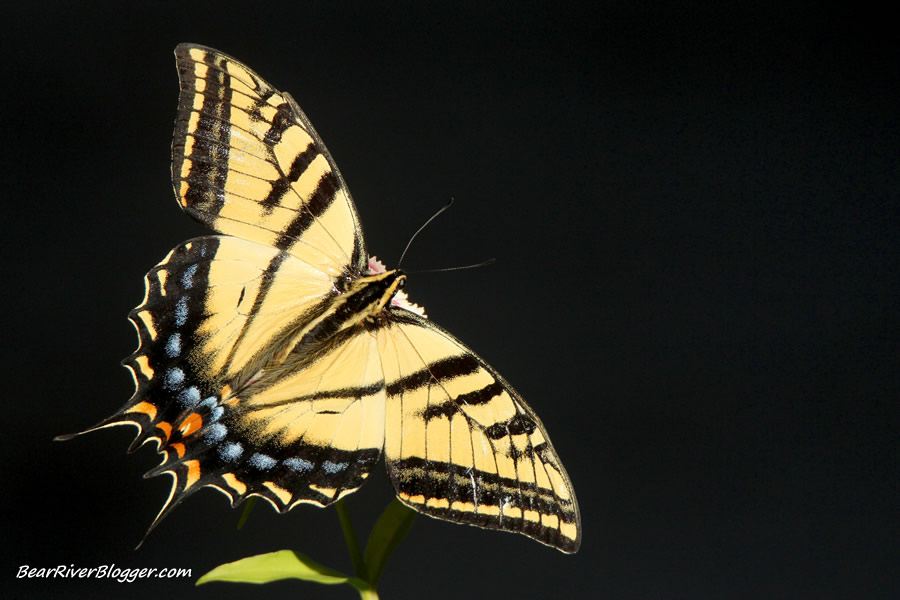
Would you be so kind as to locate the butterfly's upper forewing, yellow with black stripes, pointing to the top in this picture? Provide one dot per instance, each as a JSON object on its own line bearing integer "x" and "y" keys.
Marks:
{"x": 247, "y": 162}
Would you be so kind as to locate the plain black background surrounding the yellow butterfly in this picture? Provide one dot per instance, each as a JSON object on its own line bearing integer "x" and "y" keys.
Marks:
{"x": 695, "y": 219}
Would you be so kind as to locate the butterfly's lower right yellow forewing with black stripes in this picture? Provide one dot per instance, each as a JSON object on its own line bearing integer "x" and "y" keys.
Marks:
{"x": 462, "y": 445}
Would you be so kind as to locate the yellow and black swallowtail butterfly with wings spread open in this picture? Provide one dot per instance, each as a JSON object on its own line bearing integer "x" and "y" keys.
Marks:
{"x": 279, "y": 360}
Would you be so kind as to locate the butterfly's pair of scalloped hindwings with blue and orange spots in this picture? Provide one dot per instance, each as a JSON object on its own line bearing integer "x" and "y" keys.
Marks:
{"x": 222, "y": 408}
